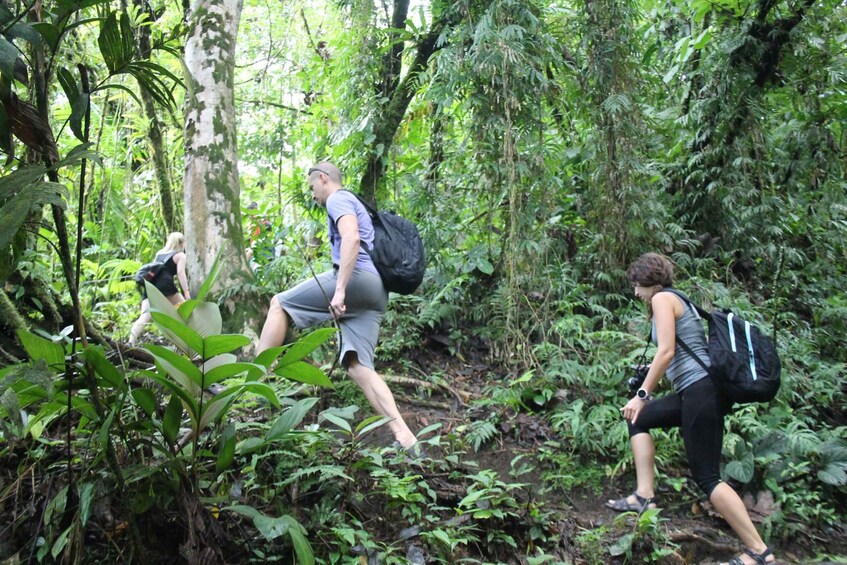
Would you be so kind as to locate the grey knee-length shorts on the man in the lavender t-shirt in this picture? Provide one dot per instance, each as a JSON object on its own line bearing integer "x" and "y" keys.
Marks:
{"x": 366, "y": 300}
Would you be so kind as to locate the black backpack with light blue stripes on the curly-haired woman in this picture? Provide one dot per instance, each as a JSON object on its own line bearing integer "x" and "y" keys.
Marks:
{"x": 744, "y": 361}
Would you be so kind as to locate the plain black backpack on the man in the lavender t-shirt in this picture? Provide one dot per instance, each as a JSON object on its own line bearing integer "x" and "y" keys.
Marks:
{"x": 398, "y": 252}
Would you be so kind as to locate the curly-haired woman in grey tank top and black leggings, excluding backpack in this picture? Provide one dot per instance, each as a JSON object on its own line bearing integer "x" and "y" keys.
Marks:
{"x": 696, "y": 406}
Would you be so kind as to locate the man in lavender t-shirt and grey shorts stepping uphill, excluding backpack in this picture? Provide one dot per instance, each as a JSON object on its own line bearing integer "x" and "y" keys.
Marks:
{"x": 352, "y": 293}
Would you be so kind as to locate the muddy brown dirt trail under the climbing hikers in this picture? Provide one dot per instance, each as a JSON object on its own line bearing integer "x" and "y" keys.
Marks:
{"x": 701, "y": 536}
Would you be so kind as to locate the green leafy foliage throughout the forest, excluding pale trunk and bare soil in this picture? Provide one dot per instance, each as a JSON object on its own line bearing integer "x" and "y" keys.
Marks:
{"x": 544, "y": 146}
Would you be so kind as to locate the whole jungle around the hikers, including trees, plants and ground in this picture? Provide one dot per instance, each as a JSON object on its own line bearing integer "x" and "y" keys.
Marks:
{"x": 540, "y": 146}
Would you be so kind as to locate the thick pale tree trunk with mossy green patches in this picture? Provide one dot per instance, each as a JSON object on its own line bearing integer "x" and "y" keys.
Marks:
{"x": 212, "y": 212}
